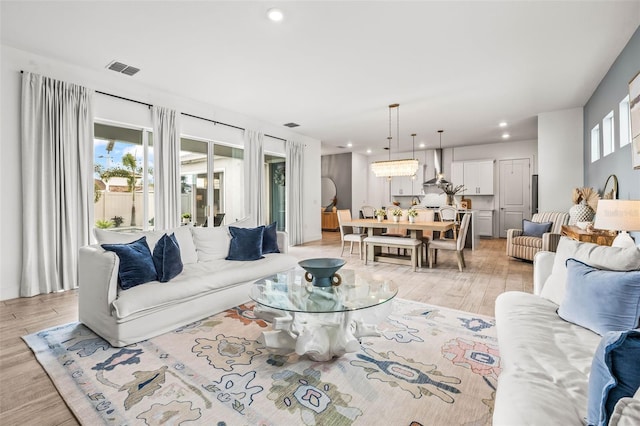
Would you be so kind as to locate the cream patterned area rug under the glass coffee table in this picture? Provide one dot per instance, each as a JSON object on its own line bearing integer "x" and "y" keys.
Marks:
{"x": 431, "y": 366}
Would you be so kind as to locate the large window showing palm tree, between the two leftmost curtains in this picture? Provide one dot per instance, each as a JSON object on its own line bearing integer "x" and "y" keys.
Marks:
{"x": 123, "y": 177}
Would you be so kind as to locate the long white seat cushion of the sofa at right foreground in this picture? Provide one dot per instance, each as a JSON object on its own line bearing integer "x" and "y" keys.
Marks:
{"x": 546, "y": 363}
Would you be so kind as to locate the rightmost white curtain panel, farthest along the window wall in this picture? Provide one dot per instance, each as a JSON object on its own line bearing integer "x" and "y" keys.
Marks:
{"x": 294, "y": 178}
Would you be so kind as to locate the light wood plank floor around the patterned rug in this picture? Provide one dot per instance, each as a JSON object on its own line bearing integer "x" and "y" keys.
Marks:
{"x": 28, "y": 397}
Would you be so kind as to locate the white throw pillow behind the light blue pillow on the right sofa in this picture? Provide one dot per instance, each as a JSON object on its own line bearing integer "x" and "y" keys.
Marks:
{"x": 601, "y": 257}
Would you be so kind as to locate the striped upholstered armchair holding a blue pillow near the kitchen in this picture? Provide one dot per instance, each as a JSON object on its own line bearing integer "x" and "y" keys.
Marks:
{"x": 526, "y": 246}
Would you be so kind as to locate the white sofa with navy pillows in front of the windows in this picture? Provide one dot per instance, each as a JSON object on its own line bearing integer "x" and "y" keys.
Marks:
{"x": 208, "y": 284}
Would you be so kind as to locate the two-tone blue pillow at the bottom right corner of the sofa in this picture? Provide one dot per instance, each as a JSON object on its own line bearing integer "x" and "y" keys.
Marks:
{"x": 615, "y": 374}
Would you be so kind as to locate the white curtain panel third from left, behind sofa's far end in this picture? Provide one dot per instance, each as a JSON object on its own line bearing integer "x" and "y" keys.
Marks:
{"x": 254, "y": 176}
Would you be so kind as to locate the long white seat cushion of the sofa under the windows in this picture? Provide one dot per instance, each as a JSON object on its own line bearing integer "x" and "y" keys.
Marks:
{"x": 194, "y": 281}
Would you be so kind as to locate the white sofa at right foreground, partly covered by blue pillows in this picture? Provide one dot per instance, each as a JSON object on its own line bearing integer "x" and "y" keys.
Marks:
{"x": 546, "y": 361}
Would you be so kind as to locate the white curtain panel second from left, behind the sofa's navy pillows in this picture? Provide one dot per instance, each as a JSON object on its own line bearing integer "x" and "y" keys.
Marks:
{"x": 166, "y": 160}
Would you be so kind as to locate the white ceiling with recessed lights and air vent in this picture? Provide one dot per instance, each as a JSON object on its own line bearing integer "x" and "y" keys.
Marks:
{"x": 335, "y": 66}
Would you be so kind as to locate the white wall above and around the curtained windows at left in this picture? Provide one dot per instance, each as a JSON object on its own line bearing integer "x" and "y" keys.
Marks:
{"x": 111, "y": 109}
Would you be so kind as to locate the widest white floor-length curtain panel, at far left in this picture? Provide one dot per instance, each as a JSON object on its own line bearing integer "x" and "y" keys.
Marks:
{"x": 57, "y": 182}
